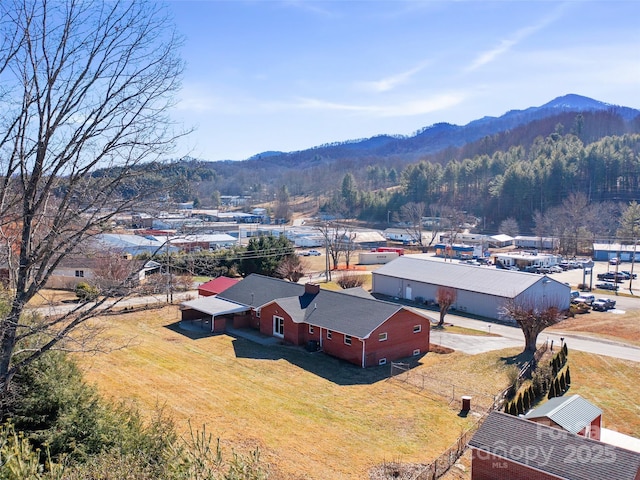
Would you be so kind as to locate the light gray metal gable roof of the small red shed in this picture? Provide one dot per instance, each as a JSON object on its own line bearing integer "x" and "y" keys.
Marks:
{"x": 571, "y": 413}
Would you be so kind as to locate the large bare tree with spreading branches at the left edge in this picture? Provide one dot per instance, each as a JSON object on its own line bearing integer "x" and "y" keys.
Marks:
{"x": 86, "y": 88}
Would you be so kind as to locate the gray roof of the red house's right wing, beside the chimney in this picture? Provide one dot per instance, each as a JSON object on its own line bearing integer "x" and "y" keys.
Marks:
{"x": 340, "y": 312}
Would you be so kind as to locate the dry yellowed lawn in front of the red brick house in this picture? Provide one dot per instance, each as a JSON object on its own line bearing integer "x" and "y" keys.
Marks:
{"x": 312, "y": 416}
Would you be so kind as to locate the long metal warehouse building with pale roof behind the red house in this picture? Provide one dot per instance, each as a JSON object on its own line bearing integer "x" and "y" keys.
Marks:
{"x": 480, "y": 291}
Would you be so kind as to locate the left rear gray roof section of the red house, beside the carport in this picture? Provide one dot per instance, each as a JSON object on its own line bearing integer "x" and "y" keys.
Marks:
{"x": 256, "y": 290}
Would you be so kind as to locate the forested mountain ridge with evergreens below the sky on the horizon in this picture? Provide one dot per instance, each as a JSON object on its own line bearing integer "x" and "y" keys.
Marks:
{"x": 519, "y": 165}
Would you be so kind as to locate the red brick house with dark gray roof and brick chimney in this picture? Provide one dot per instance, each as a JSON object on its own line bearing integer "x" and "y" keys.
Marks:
{"x": 351, "y": 325}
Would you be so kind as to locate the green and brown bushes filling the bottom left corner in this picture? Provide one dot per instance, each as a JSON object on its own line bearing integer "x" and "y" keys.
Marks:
{"x": 58, "y": 427}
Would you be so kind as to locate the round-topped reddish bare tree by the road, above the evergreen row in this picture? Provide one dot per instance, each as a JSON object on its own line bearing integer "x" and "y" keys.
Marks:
{"x": 532, "y": 316}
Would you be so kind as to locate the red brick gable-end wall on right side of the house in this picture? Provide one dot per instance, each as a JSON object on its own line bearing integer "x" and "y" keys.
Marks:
{"x": 401, "y": 340}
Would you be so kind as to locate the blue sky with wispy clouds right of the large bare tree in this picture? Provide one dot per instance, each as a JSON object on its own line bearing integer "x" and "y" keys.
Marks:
{"x": 289, "y": 75}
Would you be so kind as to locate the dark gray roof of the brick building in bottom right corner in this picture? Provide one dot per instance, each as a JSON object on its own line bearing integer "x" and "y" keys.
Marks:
{"x": 553, "y": 451}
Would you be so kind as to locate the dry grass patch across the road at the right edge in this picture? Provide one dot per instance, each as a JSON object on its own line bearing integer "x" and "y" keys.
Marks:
{"x": 623, "y": 327}
